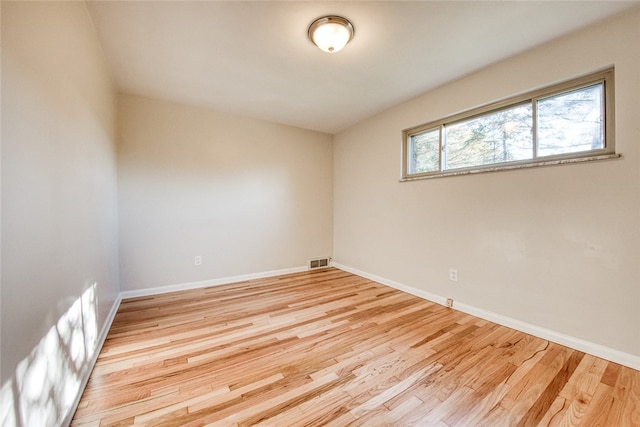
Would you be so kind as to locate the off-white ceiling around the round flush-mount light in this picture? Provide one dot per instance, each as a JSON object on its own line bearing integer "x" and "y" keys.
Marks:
{"x": 254, "y": 58}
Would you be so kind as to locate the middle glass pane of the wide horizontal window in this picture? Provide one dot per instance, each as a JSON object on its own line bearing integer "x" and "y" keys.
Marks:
{"x": 497, "y": 137}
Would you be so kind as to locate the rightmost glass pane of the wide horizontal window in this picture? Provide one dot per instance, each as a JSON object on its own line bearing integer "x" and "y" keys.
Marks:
{"x": 571, "y": 122}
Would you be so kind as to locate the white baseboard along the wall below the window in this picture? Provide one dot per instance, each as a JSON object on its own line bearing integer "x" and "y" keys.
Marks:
{"x": 594, "y": 349}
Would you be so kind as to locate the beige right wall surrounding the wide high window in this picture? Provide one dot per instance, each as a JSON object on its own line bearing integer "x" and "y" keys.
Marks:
{"x": 555, "y": 247}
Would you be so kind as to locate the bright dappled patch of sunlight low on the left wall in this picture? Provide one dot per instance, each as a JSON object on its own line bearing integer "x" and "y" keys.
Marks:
{"x": 47, "y": 383}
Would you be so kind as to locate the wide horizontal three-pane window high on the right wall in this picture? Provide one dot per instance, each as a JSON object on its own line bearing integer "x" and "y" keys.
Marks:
{"x": 572, "y": 121}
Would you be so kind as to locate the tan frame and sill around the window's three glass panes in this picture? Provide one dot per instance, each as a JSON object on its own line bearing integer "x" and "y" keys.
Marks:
{"x": 605, "y": 77}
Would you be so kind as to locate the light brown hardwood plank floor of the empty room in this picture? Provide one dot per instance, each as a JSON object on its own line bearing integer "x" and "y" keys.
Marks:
{"x": 331, "y": 348}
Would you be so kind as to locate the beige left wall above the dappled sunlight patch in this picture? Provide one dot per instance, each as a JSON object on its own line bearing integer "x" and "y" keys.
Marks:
{"x": 59, "y": 216}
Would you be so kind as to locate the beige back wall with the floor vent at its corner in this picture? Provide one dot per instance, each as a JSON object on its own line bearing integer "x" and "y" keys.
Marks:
{"x": 248, "y": 196}
